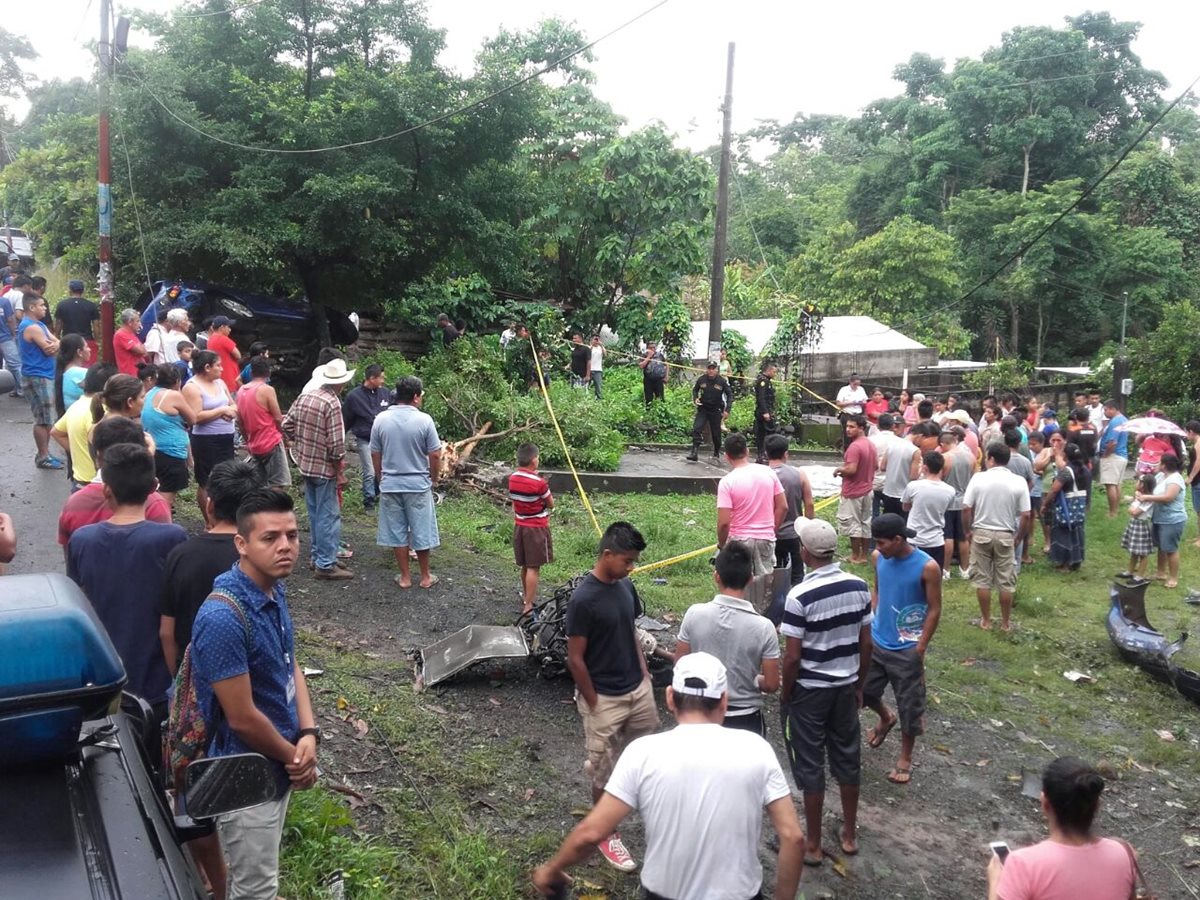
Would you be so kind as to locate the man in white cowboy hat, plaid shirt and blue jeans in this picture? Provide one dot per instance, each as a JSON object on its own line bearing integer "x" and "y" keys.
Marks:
{"x": 316, "y": 431}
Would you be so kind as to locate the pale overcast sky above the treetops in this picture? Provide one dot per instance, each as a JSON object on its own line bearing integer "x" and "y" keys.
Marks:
{"x": 791, "y": 57}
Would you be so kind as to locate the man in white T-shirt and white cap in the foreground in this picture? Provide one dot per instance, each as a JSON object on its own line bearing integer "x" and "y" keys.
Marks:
{"x": 701, "y": 791}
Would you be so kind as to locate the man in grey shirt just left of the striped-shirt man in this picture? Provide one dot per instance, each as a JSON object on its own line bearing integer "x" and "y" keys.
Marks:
{"x": 746, "y": 643}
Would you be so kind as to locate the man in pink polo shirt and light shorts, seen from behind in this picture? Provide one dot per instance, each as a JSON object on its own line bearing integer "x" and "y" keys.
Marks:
{"x": 751, "y": 506}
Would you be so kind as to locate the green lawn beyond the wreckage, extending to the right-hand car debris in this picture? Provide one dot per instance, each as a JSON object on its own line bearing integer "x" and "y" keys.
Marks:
{"x": 1015, "y": 679}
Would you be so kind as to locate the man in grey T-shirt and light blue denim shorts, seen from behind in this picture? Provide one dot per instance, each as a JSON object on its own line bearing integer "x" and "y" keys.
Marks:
{"x": 406, "y": 452}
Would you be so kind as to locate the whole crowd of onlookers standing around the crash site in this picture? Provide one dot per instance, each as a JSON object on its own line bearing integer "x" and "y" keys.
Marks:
{"x": 919, "y": 493}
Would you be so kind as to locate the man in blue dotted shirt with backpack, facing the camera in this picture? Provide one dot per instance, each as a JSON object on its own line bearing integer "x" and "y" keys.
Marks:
{"x": 249, "y": 682}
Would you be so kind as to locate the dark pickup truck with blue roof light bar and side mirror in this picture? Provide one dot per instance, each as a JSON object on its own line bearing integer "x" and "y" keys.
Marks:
{"x": 82, "y": 813}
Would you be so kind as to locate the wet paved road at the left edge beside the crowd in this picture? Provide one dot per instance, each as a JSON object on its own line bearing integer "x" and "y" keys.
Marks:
{"x": 32, "y": 496}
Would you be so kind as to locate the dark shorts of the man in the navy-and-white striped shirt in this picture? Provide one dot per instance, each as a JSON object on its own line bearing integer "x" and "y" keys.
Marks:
{"x": 821, "y": 721}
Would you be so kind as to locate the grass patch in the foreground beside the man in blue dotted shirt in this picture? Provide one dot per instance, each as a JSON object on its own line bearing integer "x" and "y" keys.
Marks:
{"x": 424, "y": 842}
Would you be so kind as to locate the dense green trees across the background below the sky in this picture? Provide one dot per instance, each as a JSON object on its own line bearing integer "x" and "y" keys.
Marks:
{"x": 917, "y": 212}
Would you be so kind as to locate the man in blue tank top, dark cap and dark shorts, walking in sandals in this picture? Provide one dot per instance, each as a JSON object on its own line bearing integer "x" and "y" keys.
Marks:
{"x": 908, "y": 604}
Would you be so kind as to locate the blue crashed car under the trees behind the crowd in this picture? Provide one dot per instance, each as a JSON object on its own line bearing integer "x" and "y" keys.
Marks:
{"x": 290, "y": 328}
